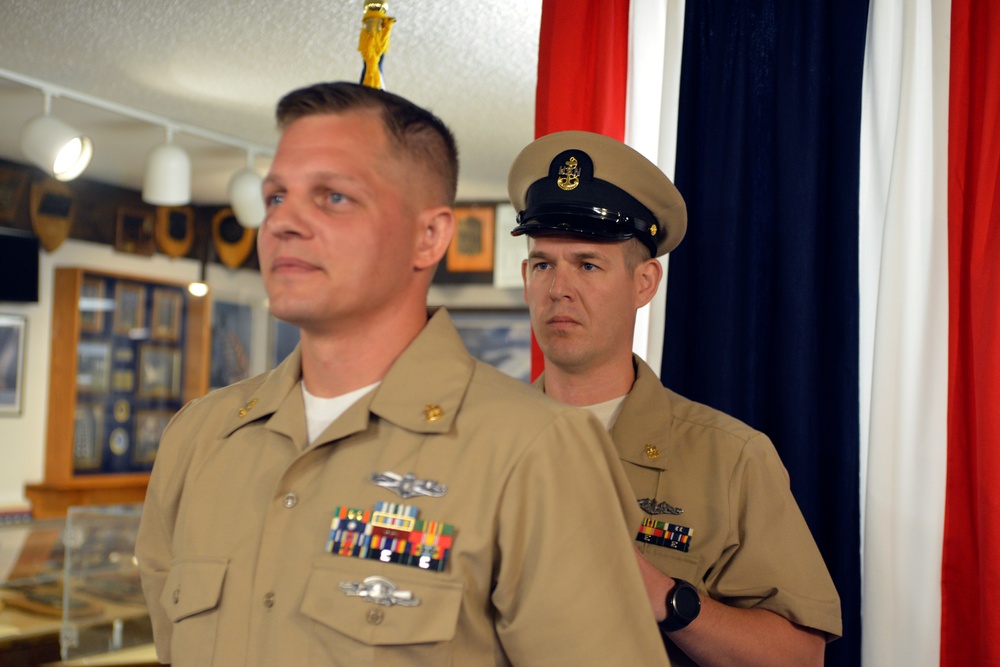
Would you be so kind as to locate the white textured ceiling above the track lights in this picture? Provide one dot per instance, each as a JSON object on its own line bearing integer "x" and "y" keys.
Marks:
{"x": 221, "y": 65}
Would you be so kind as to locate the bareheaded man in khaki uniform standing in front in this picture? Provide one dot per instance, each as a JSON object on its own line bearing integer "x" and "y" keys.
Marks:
{"x": 381, "y": 498}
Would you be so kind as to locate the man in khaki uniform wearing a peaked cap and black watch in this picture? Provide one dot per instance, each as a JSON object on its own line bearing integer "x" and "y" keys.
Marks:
{"x": 711, "y": 504}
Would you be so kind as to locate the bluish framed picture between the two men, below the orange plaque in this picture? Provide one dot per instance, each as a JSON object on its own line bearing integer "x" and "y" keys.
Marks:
{"x": 498, "y": 337}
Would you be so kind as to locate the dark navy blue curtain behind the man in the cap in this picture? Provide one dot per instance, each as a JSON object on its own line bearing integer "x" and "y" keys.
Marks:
{"x": 762, "y": 304}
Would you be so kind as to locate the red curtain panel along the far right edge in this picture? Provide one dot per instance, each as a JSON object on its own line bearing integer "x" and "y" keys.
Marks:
{"x": 970, "y": 606}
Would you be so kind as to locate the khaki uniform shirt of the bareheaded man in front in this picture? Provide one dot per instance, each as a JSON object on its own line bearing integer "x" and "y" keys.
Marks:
{"x": 231, "y": 547}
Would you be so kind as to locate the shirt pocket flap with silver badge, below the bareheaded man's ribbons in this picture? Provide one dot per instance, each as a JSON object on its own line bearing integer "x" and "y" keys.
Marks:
{"x": 433, "y": 619}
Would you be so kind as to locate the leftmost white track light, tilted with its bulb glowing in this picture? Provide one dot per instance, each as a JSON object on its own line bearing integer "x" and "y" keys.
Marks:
{"x": 54, "y": 146}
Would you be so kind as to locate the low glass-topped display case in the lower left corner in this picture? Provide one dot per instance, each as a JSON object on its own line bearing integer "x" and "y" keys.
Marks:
{"x": 70, "y": 589}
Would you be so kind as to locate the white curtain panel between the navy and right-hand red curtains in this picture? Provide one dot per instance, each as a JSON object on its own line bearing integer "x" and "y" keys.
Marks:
{"x": 904, "y": 329}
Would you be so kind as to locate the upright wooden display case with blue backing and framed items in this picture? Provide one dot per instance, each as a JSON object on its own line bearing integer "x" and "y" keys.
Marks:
{"x": 127, "y": 353}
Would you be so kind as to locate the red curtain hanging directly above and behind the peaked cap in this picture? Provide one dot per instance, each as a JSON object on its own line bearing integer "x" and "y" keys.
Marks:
{"x": 582, "y": 76}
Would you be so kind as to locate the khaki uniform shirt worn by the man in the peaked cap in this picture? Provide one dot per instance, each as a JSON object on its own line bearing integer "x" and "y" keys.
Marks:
{"x": 749, "y": 545}
